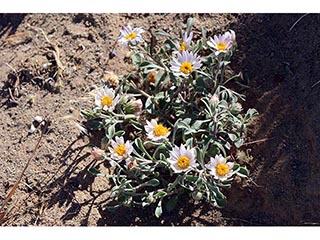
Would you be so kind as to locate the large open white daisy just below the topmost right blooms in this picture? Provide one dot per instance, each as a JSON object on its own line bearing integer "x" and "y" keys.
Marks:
{"x": 185, "y": 63}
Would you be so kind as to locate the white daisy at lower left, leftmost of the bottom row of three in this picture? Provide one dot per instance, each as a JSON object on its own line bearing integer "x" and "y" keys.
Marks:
{"x": 119, "y": 149}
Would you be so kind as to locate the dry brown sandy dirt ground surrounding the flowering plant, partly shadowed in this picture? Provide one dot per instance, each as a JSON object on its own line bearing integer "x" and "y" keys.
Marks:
{"x": 280, "y": 64}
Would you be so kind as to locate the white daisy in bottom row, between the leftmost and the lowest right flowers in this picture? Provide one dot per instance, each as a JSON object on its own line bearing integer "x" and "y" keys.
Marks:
{"x": 182, "y": 159}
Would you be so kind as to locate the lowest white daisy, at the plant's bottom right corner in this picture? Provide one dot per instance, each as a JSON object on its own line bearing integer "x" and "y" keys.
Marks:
{"x": 220, "y": 168}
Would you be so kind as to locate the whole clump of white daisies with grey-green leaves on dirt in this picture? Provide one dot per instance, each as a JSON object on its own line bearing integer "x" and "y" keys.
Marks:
{"x": 170, "y": 125}
